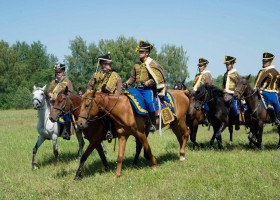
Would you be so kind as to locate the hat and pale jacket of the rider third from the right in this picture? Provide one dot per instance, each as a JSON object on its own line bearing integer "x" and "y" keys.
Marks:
{"x": 203, "y": 77}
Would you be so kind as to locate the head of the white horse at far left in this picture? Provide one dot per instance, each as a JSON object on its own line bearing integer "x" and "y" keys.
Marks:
{"x": 39, "y": 97}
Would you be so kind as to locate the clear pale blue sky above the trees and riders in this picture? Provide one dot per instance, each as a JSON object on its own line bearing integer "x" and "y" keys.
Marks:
{"x": 204, "y": 28}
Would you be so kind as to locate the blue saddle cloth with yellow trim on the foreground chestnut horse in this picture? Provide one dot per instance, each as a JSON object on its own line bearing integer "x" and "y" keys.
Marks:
{"x": 137, "y": 101}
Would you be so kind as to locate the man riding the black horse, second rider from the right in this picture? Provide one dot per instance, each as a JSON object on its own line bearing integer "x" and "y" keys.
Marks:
{"x": 231, "y": 78}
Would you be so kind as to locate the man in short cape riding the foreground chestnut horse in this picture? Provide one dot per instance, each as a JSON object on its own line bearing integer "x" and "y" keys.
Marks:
{"x": 147, "y": 75}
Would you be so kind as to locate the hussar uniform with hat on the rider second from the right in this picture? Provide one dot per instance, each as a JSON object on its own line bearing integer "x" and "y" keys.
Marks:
{"x": 230, "y": 81}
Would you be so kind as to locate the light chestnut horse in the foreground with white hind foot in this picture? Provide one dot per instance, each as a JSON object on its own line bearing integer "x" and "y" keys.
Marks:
{"x": 127, "y": 122}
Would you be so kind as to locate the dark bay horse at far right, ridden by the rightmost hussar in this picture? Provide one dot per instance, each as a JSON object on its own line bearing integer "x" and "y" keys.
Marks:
{"x": 259, "y": 116}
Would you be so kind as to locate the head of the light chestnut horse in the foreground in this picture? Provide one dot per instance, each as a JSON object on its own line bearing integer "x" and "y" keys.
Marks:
{"x": 89, "y": 108}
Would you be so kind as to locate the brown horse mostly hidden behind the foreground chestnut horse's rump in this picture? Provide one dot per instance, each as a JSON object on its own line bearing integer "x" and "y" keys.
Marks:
{"x": 196, "y": 117}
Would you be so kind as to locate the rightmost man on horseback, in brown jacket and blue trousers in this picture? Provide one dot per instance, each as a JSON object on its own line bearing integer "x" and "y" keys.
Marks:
{"x": 267, "y": 82}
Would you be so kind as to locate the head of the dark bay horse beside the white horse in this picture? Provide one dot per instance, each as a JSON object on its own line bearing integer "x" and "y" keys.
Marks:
{"x": 61, "y": 105}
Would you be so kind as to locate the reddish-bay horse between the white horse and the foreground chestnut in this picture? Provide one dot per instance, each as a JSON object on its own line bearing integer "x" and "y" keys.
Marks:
{"x": 67, "y": 102}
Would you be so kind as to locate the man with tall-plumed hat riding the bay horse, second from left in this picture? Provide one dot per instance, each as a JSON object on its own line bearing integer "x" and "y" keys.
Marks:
{"x": 106, "y": 80}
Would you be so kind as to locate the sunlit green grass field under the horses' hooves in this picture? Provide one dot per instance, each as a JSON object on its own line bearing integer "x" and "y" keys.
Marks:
{"x": 234, "y": 173}
